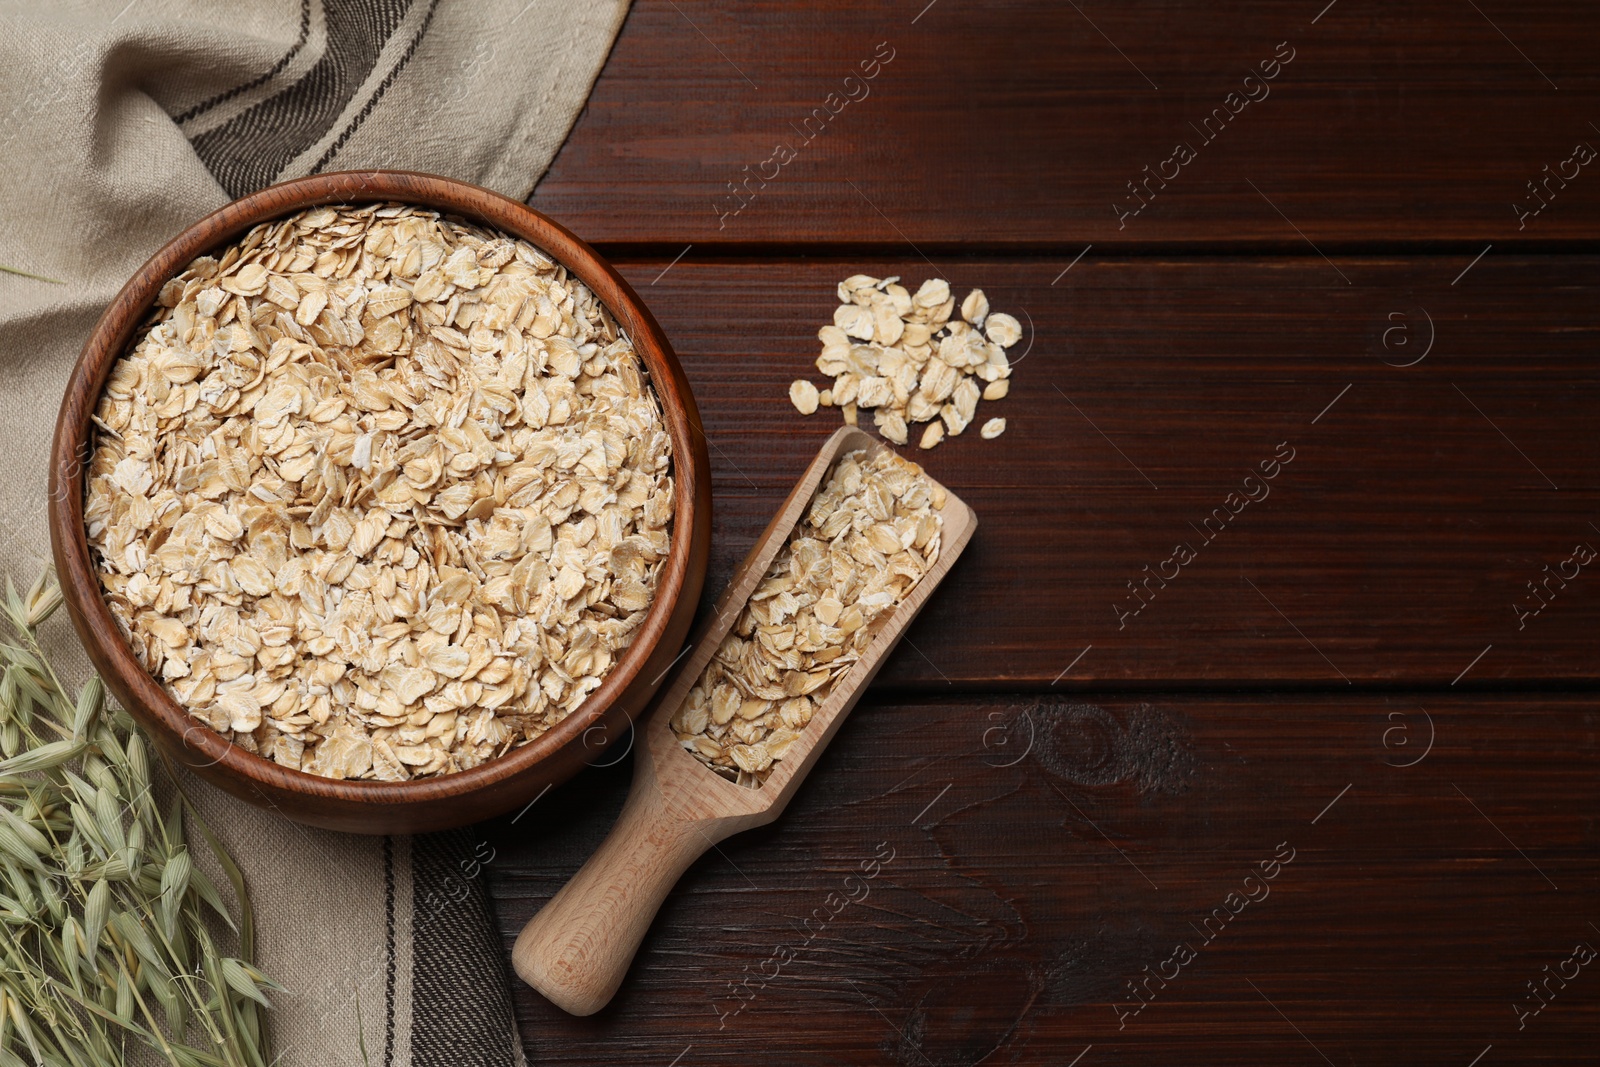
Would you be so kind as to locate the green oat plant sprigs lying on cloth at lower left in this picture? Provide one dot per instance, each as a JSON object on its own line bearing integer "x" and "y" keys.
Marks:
{"x": 110, "y": 932}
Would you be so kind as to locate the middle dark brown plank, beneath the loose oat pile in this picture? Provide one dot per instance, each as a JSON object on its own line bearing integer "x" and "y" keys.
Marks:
{"x": 1396, "y": 546}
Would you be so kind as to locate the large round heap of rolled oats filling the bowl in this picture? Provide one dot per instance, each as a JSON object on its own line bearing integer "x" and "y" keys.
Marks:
{"x": 380, "y": 495}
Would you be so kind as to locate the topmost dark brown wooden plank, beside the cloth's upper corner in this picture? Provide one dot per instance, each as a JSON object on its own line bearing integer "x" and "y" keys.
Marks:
{"x": 1023, "y": 124}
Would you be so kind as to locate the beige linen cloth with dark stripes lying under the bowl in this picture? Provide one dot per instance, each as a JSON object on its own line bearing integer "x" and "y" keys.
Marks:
{"x": 124, "y": 122}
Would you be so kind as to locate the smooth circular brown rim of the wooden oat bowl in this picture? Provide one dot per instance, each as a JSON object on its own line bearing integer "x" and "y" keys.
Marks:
{"x": 129, "y": 313}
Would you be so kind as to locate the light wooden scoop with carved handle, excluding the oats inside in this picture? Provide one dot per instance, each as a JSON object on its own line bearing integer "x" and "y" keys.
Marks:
{"x": 578, "y": 948}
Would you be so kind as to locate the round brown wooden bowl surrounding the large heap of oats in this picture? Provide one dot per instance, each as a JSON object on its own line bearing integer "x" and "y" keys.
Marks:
{"x": 510, "y": 781}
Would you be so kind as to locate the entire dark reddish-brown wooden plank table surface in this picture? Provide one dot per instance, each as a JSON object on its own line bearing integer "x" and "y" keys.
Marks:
{"x": 1326, "y": 796}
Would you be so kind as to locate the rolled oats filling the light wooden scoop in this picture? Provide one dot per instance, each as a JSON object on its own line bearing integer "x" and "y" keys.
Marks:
{"x": 868, "y": 538}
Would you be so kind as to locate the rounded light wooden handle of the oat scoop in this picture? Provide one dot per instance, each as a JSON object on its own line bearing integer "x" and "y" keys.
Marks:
{"x": 580, "y": 945}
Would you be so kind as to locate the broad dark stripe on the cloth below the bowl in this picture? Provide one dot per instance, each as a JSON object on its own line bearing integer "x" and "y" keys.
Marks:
{"x": 462, "y": 1013}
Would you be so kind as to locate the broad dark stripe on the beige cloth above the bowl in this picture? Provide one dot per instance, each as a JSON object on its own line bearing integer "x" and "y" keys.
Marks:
{"x": 254, "y": 148}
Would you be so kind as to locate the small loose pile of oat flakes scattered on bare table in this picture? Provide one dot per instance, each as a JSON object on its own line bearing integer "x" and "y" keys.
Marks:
{"x": 908, "y": 359}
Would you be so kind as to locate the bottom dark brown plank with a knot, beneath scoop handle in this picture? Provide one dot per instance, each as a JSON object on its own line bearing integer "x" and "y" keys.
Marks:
{"x": 1444, "y": 855}
